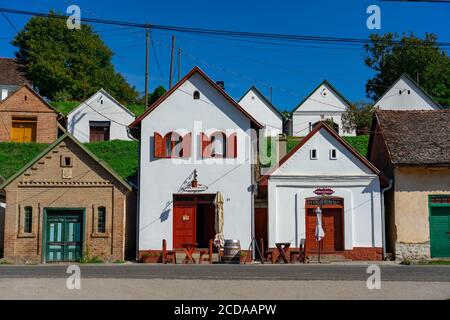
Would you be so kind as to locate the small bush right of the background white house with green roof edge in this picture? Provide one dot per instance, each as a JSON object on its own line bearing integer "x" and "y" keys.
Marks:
{"x": 357, "y": 117}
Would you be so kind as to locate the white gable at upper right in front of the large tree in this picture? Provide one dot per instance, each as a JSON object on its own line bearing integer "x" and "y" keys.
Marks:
{"x": 406, "y": 94}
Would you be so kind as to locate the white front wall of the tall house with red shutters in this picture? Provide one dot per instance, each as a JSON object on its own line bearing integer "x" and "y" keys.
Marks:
{"x": 161, "y": 178}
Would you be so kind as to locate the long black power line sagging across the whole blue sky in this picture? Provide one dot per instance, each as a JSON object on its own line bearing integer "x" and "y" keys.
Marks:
{"x": 227, "y": 33}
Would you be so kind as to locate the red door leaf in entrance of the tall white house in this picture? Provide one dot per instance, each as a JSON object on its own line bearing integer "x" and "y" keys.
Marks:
{"x": 184, "y": 226}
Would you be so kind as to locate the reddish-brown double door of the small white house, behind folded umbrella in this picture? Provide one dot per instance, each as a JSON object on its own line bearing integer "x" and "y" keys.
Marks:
{"x": 333, "y": 227}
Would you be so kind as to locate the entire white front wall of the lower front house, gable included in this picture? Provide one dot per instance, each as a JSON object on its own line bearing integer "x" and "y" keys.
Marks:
{"x": 351, "y": 180}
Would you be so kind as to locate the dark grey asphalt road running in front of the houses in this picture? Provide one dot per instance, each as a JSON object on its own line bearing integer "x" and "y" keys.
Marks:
{"x": 331, "y": 272}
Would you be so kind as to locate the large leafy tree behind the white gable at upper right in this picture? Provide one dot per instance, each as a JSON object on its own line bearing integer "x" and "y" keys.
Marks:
{"x": 414, "y": 56}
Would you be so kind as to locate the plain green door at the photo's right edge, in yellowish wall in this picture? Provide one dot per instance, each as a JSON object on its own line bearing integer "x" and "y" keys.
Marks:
{"x": 440, "y": 231}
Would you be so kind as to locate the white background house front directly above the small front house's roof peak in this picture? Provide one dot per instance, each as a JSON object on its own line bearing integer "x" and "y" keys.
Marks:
{"x": 324, "y": 103}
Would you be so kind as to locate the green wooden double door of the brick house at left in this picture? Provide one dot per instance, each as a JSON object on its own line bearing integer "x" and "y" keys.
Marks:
{"x": 64, "y": 237}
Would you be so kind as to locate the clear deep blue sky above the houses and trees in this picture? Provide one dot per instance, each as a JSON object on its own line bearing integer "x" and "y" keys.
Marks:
{"x": 293, "y": 71}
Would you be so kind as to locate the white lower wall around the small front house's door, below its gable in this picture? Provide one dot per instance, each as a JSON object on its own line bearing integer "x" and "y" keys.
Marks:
{"x": 362, "y": 208}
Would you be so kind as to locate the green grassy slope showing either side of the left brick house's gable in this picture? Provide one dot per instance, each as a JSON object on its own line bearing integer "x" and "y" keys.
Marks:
{"x": 122, "y": 156}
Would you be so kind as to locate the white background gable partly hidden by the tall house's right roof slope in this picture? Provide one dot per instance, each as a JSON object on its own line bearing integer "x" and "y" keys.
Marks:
{"x": 263, "y": 111}
